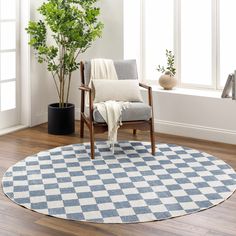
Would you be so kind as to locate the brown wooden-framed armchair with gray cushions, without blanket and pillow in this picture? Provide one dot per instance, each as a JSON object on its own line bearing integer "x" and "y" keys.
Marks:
{"x": 138, "y": 116}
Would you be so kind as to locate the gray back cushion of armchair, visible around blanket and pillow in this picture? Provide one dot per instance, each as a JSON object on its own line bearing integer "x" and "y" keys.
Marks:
{"x": 125, "y": 69}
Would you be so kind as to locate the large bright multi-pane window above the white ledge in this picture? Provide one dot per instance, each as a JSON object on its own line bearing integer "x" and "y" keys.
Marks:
{"x": 199, "y": 32}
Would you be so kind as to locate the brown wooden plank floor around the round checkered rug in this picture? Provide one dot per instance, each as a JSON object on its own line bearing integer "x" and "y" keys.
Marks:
{"x": 15, "y": 220}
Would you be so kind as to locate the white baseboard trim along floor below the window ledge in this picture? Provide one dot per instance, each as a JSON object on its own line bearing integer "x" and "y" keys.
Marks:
{"x": 195, "y": 131}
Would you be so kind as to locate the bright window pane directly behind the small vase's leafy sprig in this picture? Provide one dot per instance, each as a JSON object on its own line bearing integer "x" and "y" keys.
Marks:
{"x": 158, "y": 35}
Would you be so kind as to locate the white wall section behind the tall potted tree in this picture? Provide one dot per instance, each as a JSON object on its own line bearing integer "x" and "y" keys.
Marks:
{"x": 109, "y": 46}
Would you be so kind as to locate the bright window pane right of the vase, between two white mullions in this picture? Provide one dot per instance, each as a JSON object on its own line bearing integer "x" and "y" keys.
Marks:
{"x": 196, "y": 46}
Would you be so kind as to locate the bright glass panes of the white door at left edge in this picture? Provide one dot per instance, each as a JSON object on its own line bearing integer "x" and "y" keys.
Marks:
{"x": 7, "y": 55}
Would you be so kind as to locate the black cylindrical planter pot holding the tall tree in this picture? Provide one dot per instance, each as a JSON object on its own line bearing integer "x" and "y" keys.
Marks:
{"x": 61, "y": 120}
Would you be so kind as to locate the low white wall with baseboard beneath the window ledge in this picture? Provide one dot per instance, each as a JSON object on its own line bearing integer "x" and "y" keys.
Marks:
{"x": 197, "y": 116}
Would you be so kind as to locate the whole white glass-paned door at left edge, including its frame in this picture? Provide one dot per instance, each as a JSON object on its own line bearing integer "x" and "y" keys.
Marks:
{"x": 9, "y": 79}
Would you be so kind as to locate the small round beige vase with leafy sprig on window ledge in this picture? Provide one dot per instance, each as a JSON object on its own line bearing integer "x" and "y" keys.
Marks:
{"x": 168, "y": 80}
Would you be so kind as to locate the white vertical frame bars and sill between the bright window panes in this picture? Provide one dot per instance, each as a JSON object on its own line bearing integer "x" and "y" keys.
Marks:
{"x": 215, "y": 32}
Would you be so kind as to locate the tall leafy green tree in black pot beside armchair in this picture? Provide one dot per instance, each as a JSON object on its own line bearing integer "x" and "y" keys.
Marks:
{"x": 68, "y": 29}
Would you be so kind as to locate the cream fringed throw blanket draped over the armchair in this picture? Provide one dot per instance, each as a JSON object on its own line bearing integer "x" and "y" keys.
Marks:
{"x": 111, "y": 111}
